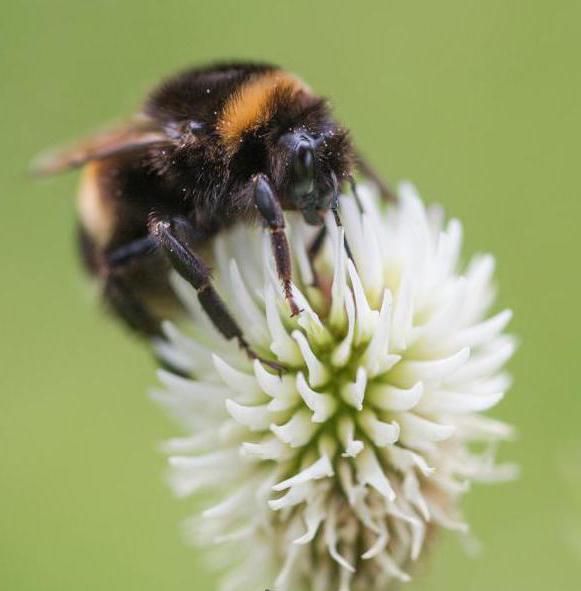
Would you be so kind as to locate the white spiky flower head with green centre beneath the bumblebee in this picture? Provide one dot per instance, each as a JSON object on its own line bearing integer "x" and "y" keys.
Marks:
{"x": 333, "y": 475}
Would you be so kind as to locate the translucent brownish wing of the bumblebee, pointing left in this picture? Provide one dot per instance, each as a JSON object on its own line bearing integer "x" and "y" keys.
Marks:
{"x": 135, "y": 135}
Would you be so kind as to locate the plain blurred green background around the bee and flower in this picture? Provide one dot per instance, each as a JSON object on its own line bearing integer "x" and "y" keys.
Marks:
{"x": 479, "y": 103}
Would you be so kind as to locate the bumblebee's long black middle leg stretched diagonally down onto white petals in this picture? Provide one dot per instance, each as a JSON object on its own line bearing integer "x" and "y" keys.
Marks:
{"x": 173, "y": 235}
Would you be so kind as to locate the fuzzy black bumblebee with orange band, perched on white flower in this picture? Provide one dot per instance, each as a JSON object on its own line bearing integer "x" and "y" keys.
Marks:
{"x": 212, "y": 146}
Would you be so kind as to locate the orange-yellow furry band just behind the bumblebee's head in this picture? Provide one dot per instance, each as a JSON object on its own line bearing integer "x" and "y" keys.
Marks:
{"x": 252, "y": 104}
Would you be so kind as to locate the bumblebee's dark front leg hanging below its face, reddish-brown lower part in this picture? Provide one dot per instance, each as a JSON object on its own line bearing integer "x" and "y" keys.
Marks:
{"x": 272, "y": 215}
